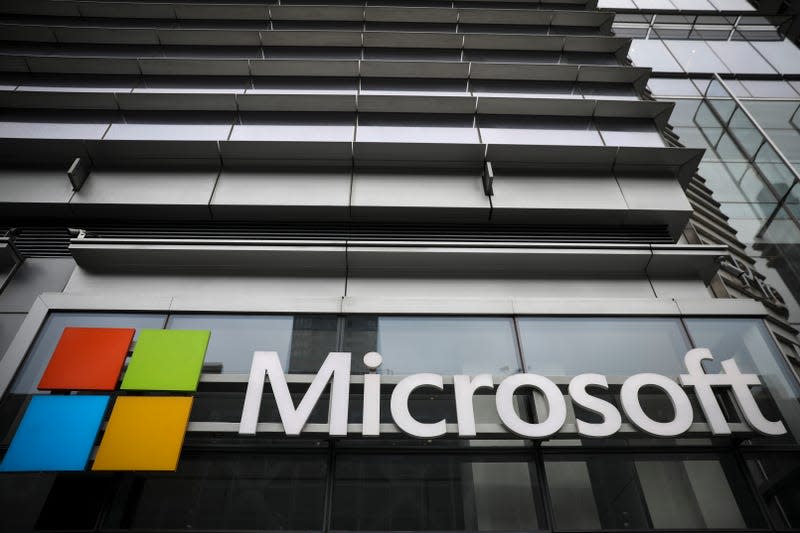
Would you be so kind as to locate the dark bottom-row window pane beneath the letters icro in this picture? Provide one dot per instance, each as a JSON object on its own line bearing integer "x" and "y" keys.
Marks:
{"x": 434, "y": 492}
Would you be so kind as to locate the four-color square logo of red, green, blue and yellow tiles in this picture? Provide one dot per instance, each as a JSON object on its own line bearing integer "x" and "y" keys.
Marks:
{"x": 145, "y": 429}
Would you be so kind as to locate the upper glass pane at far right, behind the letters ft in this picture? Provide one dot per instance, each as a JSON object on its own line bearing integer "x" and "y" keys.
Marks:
{"x": 748, "y": 342}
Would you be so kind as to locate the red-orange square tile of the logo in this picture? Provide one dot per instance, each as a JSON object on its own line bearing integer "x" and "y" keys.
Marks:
{"x": 87, "y": 359}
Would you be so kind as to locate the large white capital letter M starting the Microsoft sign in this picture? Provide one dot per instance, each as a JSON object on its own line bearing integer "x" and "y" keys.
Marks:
{"x": 336, "y": 368}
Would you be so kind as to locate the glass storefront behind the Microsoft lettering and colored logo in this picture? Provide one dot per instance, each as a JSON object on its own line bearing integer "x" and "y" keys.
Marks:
{"x": 231, "y": 482}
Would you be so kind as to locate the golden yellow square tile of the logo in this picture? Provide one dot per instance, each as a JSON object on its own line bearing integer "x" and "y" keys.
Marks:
{"x": 144, "y": 433}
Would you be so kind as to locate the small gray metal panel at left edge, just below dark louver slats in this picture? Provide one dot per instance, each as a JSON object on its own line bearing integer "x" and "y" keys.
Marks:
{"x": 33, "y": 277}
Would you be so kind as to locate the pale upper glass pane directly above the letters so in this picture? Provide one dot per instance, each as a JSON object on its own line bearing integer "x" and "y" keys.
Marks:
{"x": 609, "y": 346}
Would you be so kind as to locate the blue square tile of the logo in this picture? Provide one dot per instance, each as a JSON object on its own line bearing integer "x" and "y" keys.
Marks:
{"x": 56, "y": 433}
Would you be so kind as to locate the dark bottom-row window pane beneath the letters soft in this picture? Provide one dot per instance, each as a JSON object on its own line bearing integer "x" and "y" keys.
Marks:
{"x": 649, "y": 492}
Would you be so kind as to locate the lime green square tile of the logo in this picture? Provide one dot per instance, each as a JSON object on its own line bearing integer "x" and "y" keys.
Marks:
{"x": 166, "y": 360}
